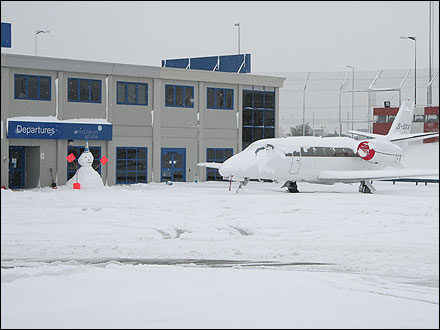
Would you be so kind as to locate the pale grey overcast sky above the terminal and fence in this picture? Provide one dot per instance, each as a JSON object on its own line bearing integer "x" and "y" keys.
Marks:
{"x": 285, "y": 36}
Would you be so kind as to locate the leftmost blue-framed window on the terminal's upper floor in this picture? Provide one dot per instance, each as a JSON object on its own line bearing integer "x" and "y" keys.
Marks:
{"x": 28, "y": 87}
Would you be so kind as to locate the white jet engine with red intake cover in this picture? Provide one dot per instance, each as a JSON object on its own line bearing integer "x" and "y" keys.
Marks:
{"x": 379, "y": 152}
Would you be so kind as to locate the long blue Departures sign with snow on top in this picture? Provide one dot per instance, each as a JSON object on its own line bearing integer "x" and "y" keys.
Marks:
{"x": 58, "y": 131}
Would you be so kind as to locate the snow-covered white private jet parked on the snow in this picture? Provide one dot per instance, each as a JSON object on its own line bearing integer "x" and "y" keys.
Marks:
{"x": 328, "y": 160}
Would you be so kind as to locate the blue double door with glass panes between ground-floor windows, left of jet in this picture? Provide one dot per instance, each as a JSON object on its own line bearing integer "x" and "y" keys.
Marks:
{"x": 173, "y": 164}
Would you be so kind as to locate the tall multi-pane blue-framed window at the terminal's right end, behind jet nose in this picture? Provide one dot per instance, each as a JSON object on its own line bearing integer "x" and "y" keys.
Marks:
{"x": 258, "y": 116}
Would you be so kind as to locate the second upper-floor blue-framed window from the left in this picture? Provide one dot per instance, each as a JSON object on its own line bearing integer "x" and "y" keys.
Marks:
{"x": 83, "y": 90}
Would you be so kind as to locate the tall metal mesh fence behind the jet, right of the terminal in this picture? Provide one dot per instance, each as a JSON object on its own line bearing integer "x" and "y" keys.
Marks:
{"x": 334, "y": 102}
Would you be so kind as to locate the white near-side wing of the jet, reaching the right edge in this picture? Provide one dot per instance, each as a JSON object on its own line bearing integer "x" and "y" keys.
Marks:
{"x": 357, "y": 176}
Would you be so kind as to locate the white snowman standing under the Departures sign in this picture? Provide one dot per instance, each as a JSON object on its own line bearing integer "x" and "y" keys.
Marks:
{"x": 86, "y": 176}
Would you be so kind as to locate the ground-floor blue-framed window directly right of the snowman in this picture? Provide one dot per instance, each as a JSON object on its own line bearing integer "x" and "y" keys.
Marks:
{"x": 131, "y": 165}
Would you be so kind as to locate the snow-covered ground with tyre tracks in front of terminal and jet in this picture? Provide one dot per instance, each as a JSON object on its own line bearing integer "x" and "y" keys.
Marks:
{"x": 196, "y": 255}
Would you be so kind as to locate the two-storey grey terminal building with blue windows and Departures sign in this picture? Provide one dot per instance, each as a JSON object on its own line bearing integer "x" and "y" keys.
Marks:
{"x": 153, "y": 124}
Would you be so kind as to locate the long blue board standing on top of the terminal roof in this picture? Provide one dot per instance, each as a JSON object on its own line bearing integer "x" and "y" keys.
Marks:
{"x": 240, "y": 63}
